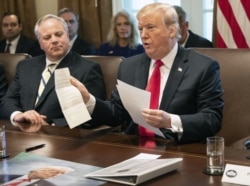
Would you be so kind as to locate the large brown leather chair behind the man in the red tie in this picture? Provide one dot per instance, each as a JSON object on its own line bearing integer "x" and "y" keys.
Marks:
{"x": 235, "y": 77}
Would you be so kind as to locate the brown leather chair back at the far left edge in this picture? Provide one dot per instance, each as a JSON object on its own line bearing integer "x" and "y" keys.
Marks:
{"x": 9, "y": 62}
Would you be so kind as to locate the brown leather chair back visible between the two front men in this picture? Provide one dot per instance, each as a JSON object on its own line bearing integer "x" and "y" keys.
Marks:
{"x": 109, "y": 66}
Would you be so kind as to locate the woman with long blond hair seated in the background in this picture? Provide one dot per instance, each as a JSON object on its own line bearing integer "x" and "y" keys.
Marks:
{"x": 123, "y": 37}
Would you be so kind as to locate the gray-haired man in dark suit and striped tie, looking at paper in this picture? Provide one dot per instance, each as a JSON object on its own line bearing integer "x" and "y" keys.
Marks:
{"x": 20, "y": 102}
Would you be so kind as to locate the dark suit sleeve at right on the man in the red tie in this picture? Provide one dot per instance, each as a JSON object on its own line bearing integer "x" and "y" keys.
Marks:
{"x": 206, "y": 121}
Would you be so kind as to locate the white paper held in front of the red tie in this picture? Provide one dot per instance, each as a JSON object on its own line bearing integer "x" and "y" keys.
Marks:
{"x": 134, "y": 100}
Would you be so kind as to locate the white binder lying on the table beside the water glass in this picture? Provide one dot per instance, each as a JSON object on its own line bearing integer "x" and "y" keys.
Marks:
{"x": 136, "y": 171}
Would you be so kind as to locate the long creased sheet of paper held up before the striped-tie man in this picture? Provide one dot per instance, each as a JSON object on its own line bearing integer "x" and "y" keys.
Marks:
{"x": 70, "y": 99}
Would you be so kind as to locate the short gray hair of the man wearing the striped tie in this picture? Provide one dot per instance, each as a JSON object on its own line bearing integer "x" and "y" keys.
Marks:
{"x": 46, "y": 17}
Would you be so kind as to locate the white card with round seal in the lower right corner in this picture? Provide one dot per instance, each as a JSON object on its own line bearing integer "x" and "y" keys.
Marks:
{"x": 236, "y": 174}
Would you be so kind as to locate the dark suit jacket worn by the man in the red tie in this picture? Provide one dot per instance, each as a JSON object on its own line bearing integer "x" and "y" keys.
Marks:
{"x": 194, "y": 93}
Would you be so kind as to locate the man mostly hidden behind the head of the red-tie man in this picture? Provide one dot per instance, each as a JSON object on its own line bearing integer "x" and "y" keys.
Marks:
{"x": 188, "y": 38}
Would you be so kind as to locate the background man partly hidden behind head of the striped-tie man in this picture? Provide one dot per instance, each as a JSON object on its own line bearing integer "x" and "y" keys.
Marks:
{"x": 77, "y": 44}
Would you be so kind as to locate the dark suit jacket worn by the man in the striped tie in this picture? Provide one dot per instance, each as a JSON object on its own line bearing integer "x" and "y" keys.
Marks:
{"x": 22, "y": 93}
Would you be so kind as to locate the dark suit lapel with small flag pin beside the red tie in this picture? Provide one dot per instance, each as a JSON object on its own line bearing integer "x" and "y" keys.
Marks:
{"x": 177, "y": 72}
